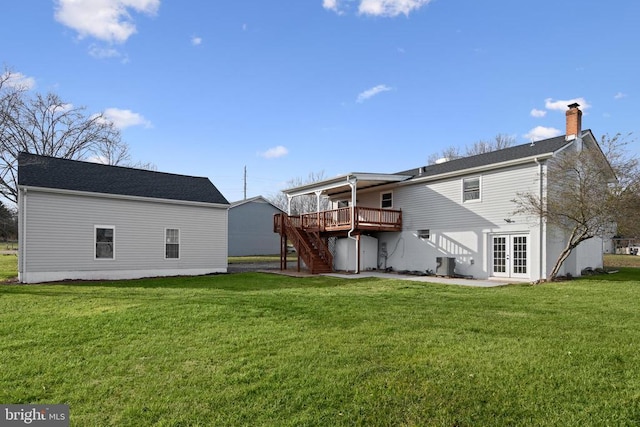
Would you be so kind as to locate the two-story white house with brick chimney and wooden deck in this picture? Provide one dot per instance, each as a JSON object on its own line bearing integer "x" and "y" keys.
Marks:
{"x": 452, "y": 218}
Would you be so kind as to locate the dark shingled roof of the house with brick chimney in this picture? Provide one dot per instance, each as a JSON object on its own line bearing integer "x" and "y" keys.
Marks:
{"x": 508, "y": 154}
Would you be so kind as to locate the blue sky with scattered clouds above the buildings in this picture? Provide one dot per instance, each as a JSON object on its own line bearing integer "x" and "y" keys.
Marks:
{"x": 292, "y": 87}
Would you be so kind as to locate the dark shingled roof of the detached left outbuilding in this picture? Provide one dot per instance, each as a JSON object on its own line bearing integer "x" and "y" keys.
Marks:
{"x": 51, "y": 172}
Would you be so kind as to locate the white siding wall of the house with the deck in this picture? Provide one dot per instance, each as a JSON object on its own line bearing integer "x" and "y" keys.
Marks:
{"x": 457, "y": 229}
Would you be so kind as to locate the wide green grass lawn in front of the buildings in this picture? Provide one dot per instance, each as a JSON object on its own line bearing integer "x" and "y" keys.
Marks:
{"x": 259, "y": 349}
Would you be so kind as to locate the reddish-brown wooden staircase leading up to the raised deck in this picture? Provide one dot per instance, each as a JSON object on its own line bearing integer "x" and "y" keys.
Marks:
{"x": 311, "y": 248}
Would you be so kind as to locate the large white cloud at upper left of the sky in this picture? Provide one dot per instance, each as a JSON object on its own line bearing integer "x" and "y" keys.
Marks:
{"x": 107, "y": 20}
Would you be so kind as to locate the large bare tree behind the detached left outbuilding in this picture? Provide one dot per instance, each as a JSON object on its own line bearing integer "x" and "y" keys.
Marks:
{"x": 46, "y": 125}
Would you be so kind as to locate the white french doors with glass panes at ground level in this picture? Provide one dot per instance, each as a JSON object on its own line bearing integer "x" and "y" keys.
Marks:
{"x": 510, "y": 255}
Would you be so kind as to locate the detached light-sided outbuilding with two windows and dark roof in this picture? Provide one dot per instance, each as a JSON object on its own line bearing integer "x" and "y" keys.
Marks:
{"x": 81, "y": 220}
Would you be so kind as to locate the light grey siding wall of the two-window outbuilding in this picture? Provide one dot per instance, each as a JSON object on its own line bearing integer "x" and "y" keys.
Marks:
{"x": 57, "y": 239}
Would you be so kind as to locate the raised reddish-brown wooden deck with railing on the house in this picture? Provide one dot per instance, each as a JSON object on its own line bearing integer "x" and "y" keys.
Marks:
{"x": 340, "y": 220}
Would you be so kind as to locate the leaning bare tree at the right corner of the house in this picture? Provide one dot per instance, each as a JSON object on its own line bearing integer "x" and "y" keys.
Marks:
{"x": 586, "y": 193}
